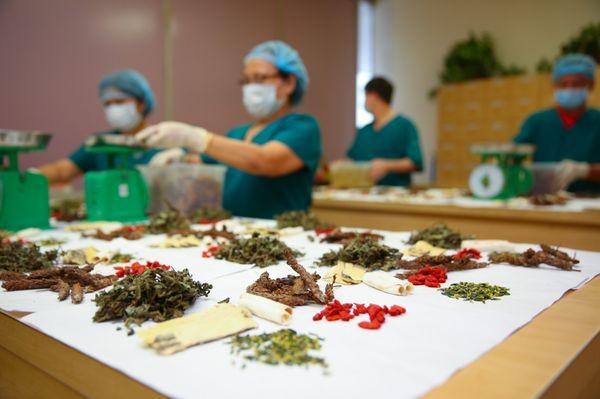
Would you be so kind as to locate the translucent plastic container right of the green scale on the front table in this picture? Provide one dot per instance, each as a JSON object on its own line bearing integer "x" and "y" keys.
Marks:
{"x": 188, "y": 187}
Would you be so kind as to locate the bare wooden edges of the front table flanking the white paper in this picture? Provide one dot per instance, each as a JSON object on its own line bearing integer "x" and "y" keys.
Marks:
{"x": 475, "y": 378}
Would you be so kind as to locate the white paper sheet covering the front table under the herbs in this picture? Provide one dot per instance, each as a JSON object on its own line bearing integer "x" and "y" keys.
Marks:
{"x": 407, "y": 357}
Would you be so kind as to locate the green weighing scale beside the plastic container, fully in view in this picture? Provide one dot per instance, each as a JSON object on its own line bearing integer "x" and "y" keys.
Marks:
{"x": 118, "y": 193}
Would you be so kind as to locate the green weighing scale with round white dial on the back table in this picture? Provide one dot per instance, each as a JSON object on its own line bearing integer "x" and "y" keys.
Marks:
{"x": 502, "y": 173}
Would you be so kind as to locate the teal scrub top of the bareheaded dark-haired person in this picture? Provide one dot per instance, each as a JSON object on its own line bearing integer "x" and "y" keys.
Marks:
{"x": 399, "y": 138}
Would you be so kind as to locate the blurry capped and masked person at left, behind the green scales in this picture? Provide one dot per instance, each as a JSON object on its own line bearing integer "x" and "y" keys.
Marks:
{"x": 127, "y": 100}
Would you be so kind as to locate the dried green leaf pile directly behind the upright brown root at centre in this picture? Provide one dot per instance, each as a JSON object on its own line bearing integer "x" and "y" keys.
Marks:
{"x": 259, "y": 250}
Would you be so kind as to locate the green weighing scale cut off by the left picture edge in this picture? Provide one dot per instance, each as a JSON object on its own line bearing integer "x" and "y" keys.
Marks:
{"x": 24, "y": 197}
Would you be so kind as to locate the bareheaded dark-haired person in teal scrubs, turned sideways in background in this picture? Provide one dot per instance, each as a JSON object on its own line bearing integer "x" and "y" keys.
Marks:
{"x": 390, "y": 142}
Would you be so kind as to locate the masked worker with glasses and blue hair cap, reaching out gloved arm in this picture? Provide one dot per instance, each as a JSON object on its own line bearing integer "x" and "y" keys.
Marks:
{"x": 272, "y": 160}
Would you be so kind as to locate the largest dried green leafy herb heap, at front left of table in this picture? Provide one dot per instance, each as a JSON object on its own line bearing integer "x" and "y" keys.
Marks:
{"x": 156, "y": 294}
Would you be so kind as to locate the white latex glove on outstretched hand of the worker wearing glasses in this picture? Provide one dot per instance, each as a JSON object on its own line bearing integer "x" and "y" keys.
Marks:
{"x": 175, "y": 134}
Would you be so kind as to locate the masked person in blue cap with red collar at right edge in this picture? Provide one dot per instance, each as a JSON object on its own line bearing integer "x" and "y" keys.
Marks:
{"x": 568, "y": 133}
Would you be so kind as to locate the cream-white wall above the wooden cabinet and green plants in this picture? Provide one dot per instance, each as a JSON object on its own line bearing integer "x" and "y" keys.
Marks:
{"x": 413, "y": 36}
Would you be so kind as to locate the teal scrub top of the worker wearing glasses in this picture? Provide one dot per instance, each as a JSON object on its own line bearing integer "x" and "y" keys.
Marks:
{"x": 249, "y": 195}
